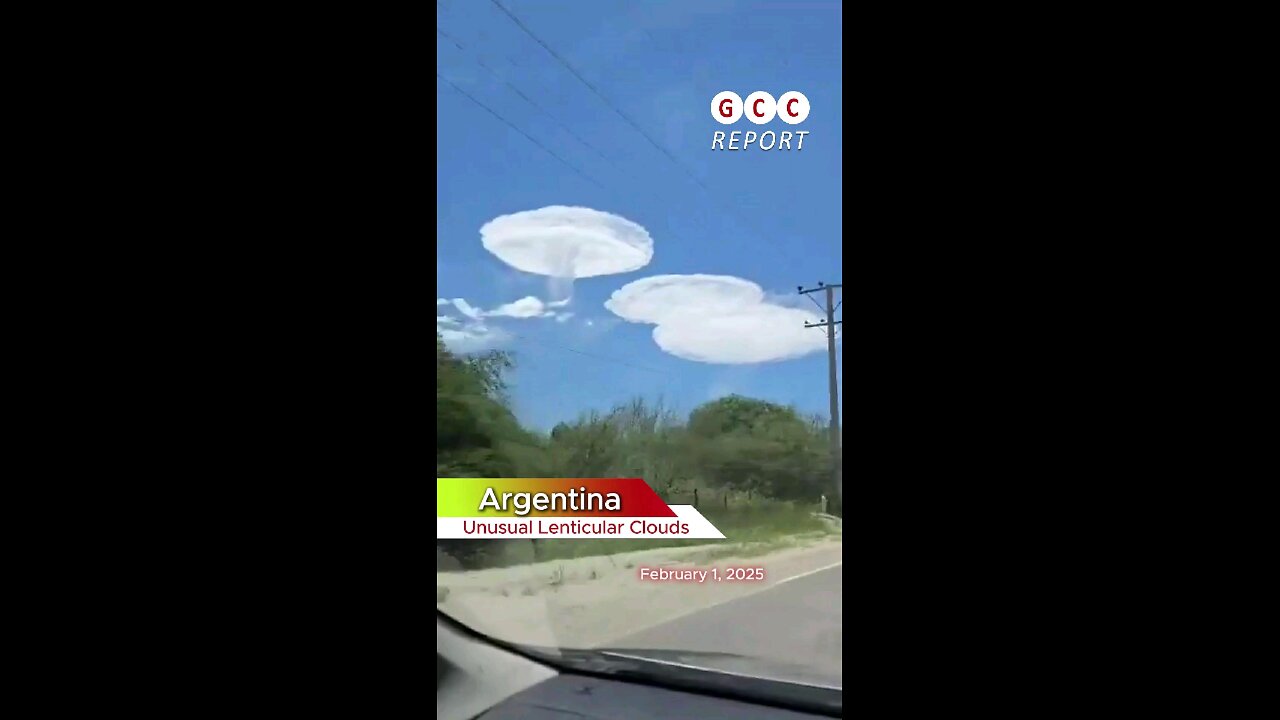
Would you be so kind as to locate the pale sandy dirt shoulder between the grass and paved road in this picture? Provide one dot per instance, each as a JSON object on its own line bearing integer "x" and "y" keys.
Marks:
{"x": 592, "y": 601}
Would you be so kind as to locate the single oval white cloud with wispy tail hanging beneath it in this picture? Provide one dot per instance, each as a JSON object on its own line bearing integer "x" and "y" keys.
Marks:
{"x": 568, "y": 244}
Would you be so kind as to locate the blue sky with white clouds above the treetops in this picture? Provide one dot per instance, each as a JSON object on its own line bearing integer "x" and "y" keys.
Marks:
{"x": 770, "y": 218}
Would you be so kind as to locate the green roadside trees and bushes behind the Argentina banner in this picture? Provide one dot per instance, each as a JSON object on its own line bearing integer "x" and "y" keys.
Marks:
{"x": 758, "y": 468}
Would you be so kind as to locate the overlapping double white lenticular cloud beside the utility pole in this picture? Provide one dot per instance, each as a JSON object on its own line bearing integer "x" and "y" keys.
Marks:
{"x": 717, "y": 320}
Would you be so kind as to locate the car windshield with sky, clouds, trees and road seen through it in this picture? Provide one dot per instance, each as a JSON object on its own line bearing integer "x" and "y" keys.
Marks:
{"x": 639, "y": 249}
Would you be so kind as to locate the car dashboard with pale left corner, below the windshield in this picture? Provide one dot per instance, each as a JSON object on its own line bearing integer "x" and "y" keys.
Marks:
{"x": 478, "y": 680}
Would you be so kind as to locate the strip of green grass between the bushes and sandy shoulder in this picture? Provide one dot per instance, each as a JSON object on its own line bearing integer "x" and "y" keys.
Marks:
{"x": 753, "y": 530}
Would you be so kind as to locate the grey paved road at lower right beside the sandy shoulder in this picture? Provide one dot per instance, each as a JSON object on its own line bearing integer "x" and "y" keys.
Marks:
{"x": 798, "y": 623}
